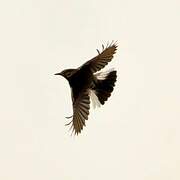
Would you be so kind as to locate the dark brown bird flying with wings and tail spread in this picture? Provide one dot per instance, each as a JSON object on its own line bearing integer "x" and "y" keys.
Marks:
{"x": 88, "y": 82}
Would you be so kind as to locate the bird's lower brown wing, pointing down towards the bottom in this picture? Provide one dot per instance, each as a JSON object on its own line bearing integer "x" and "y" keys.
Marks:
{"x": 81, "y": 108}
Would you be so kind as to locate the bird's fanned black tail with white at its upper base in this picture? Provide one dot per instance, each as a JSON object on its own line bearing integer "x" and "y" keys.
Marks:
{"x": 105, "y": 85}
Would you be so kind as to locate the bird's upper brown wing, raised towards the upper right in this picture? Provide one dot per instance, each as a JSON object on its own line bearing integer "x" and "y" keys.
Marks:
{"x": 102, "y": 59}
